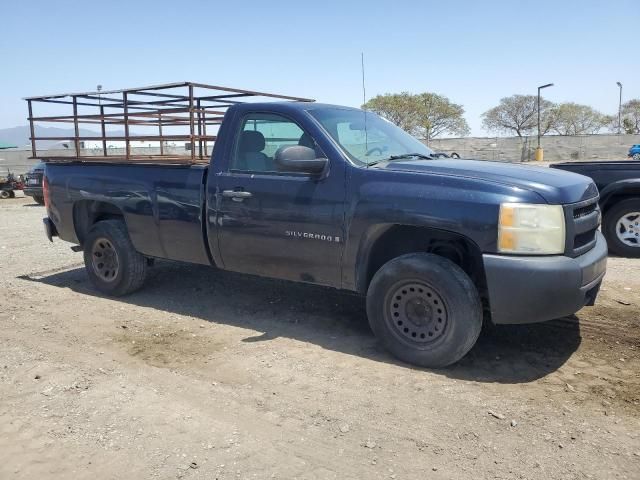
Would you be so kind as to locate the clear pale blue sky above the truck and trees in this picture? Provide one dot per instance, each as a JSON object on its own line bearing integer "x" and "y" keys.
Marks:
{"x": 474, "y": 52}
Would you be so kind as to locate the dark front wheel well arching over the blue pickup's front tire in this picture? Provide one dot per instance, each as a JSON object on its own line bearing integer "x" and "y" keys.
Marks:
{"x": 400, "y": 240}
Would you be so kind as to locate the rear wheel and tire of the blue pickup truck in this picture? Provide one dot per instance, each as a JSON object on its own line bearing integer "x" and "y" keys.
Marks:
{"x": 118, "y": 274}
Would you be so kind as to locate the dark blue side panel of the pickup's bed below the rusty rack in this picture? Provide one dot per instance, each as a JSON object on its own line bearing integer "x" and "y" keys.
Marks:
{"x": 161, "y": 204}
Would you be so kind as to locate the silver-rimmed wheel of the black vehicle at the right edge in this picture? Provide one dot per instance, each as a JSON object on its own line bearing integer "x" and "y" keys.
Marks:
{"x": 612, "y": 231}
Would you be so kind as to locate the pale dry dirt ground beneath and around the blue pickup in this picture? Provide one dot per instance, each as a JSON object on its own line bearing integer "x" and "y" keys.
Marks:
{"x": 206, "y": 374}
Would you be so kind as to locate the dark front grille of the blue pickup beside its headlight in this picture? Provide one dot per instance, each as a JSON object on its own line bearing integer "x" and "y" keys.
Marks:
{"x": 583, "y": 220}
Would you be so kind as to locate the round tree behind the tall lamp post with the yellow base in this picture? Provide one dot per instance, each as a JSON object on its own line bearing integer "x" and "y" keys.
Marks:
{"x": 519, "y": 114}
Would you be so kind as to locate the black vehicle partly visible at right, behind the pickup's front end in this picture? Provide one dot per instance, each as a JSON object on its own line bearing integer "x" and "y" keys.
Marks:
{"x": 619, "y": 185}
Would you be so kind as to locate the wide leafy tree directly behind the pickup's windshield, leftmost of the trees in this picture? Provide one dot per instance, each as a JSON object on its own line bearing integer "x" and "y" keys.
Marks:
{"x": 427, "y": 114}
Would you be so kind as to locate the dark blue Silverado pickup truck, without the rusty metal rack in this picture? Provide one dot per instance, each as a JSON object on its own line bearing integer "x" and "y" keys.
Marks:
{"x": 340, "y": 197}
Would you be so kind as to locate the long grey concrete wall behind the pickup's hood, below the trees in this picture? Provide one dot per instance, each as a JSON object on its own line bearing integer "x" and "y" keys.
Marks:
{"x": 556, "y": 147}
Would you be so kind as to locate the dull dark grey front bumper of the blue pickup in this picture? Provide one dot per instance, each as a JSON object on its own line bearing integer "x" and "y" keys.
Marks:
{"x": 535, "y": 289}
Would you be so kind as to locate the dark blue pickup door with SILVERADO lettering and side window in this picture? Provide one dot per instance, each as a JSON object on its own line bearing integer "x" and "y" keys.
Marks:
{"x": 277, "y": 223}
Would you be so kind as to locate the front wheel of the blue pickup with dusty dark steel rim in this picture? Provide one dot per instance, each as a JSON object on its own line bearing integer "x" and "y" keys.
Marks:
{"x": 424, "y": 309}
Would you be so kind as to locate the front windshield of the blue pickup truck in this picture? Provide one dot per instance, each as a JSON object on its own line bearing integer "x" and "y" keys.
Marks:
{"x": 379, "y": 141}
